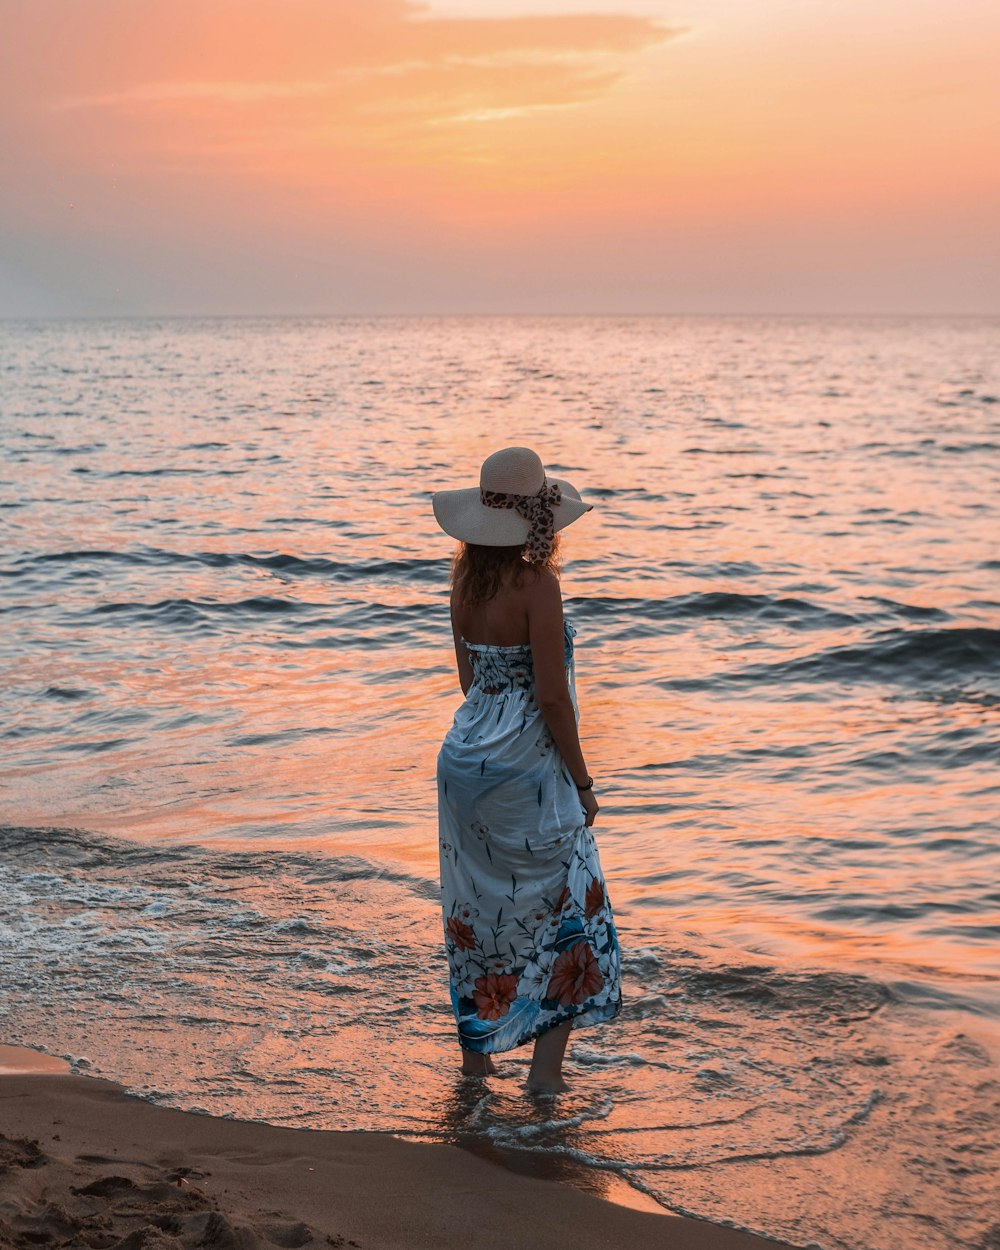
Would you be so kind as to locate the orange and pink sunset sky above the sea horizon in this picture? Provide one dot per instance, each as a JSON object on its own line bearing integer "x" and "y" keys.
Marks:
{"x": 383, "y": 157}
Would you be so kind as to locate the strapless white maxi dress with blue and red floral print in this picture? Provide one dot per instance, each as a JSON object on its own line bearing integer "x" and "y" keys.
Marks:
{"x": 529, "y": 929}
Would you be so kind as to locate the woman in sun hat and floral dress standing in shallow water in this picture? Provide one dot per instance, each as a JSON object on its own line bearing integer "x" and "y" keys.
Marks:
{"x": 531, "y": 938}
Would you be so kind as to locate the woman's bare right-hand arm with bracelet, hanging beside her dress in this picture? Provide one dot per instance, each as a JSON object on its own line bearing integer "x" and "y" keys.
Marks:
{"x": 549, "y": 658}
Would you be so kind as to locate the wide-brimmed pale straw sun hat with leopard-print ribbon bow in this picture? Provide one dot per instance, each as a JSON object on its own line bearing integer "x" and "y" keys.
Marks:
{"x": 516, "y": 504}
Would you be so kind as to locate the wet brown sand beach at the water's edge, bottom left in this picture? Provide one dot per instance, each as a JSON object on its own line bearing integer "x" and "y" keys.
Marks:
{"x": 82, "y": 1158}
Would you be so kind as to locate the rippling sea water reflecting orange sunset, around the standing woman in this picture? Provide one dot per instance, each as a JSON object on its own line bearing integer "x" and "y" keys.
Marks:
{"x": 227, "y": 668}
